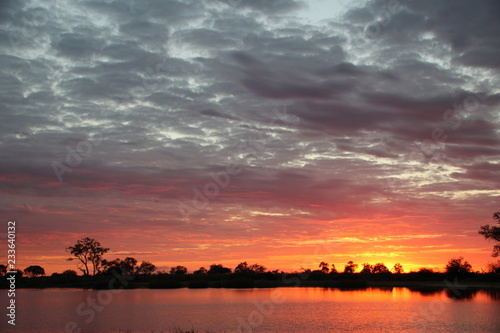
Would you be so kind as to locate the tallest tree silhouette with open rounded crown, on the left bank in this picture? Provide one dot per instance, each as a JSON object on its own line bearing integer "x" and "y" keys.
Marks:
{"x": 89, "y": 252}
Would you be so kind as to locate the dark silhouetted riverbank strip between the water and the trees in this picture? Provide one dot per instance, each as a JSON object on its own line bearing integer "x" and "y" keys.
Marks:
{"x": 342, "y": 281}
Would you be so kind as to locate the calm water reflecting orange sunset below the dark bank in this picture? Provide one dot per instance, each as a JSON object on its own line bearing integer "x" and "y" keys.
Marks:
{"x": 257, "y": 310}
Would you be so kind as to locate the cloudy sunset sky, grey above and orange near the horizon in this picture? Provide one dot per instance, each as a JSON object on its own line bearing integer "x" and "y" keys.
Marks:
{"x": 283, "y": 132}
